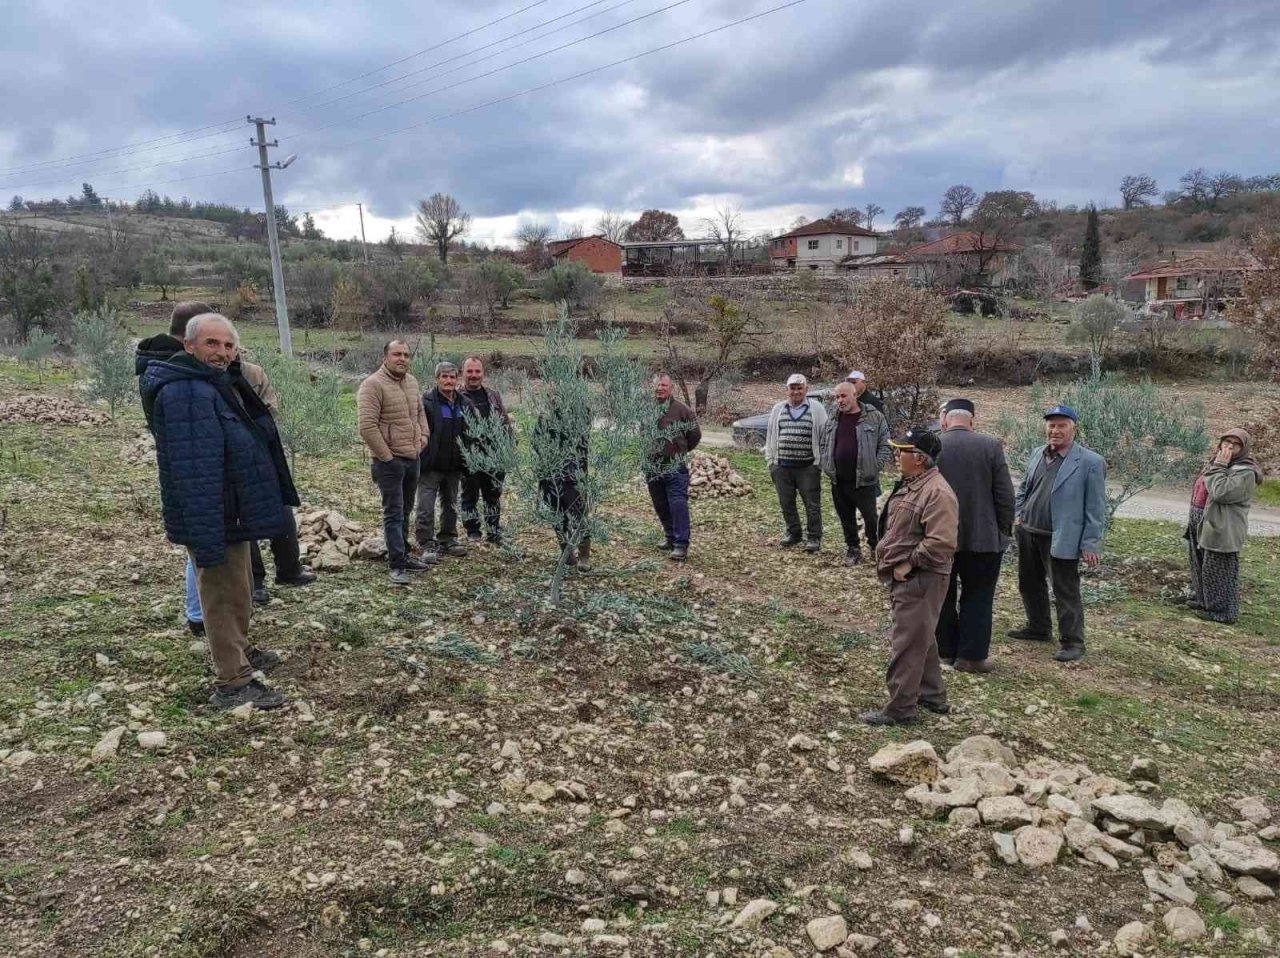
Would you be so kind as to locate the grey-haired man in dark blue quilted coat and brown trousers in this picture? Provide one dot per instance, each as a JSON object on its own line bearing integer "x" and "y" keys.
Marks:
{"x": 225, "y": 483}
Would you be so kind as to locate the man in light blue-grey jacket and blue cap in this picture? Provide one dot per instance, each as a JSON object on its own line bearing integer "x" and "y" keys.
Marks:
{"x": 1060, "y": 514}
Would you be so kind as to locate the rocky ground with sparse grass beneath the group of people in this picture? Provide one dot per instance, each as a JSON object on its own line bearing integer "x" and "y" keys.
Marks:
{"x": 668, "y": 765}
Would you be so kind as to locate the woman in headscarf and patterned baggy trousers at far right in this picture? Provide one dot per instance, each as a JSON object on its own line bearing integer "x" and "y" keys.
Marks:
{"x": 1218, "y": 527}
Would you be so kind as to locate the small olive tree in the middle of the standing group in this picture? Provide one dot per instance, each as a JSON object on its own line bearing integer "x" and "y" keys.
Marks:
{"x": 592, "y": 431}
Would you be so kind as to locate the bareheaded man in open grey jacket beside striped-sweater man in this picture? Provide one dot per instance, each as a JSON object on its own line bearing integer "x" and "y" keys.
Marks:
{"x": 854, "y": 449}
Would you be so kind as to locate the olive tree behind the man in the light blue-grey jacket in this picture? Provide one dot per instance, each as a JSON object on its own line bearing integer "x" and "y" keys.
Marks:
{"x": 1145, "y": 439}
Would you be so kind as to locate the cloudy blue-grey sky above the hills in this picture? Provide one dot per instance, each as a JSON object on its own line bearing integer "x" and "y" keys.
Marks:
{"x": 820, "y": 104}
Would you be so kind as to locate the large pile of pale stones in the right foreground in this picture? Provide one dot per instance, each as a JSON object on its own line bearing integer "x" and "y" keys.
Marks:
{"x": 1044, "y": 810}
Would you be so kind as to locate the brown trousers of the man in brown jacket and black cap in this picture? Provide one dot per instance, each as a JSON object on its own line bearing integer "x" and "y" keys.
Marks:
{"x": 915, "y": 670}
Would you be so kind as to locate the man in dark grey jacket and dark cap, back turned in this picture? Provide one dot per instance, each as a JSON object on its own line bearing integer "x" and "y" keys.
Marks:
{"x": 976, "y": 469}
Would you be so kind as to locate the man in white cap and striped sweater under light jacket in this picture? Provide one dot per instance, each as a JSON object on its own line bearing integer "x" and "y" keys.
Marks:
{"x": 792, "y": 449}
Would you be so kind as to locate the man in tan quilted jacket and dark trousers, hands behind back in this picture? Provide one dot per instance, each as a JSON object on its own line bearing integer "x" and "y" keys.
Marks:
{"x": 394, "y": 426}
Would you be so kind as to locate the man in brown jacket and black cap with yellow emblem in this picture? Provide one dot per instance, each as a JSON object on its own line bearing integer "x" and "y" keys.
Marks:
{"x": 918, "y": 532}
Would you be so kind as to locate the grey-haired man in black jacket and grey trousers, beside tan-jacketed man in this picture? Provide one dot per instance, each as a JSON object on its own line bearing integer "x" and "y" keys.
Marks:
{"x": 442, "y": 467}
